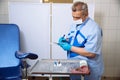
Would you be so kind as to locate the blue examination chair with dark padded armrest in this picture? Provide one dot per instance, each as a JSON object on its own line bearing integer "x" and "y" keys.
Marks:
{"x": 10, "y": 55}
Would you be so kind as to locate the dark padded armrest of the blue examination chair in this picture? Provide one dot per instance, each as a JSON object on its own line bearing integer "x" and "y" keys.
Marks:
{"x": 22, "y": 55}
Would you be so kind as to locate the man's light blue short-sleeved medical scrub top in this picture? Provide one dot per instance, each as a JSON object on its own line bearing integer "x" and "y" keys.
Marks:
{"x": 93, "y": 34}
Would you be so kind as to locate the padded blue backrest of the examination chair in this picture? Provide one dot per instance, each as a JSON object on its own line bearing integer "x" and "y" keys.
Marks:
{"x": 9, "y": 43}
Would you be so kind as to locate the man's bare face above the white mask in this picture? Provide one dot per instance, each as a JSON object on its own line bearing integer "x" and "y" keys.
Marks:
{"x": 76, "y": 13}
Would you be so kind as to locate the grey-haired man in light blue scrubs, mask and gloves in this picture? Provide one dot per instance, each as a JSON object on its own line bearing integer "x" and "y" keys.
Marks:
{"x": 84, "y": 42}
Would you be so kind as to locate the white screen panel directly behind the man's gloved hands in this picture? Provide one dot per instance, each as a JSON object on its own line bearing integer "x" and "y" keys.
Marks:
{"x": 61, "y": 20}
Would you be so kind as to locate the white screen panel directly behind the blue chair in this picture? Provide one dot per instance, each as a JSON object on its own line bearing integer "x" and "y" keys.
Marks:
{"x": 33, "y": 21}
